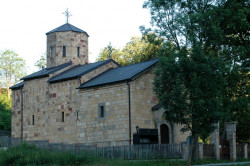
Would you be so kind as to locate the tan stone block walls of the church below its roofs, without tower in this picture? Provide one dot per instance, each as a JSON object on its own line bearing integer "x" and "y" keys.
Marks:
{"x": 48, "y": 103}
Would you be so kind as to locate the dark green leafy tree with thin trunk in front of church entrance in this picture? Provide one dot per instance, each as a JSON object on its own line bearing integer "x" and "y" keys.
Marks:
{"x": 189, "y": 86}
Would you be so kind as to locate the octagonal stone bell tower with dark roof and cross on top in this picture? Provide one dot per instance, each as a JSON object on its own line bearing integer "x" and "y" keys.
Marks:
{"x": 67, "y": 43}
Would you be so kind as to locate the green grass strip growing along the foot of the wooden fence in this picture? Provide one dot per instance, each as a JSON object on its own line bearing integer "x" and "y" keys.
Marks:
{"x": 31, "y": 156}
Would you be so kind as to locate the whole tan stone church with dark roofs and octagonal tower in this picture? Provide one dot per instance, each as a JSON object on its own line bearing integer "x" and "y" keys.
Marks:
{"x": 101, "y": 103}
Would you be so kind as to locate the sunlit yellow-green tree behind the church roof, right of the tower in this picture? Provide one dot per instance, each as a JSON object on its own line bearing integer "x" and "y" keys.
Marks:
{"x": 139, "y": 49}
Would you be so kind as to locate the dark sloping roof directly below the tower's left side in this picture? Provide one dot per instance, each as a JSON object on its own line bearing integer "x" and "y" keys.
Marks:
{"x": 45, "y": 72}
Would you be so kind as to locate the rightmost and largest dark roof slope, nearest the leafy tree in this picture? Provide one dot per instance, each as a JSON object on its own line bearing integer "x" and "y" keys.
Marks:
{"x": 119, "y": 74}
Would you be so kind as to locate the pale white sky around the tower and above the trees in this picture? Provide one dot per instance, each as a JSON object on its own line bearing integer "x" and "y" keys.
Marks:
{"x": 25, "y": 22}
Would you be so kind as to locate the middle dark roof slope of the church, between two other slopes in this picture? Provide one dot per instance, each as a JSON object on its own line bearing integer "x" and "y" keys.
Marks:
{"x": 79, "y": 70}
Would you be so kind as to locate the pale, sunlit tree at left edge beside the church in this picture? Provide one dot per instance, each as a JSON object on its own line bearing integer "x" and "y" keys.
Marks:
{"x": 12, "y": 68}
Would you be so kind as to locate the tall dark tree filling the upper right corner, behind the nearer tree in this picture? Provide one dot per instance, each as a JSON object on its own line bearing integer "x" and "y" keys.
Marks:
{"x": 220, "y": 29}
